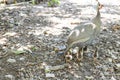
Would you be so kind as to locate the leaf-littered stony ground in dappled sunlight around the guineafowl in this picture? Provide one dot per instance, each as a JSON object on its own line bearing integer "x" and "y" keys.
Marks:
{"x": 30, "y": 37}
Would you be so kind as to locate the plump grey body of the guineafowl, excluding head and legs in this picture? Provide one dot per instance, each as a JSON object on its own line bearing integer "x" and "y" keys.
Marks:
{"x": 85, "y": 33}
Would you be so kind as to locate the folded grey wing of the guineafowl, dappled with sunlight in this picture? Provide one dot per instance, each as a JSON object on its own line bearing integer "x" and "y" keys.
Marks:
{"x": 81, "y": 33}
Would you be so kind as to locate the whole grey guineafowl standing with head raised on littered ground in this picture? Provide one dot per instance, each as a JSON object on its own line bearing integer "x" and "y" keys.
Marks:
{"x": 84, "y": 34}
